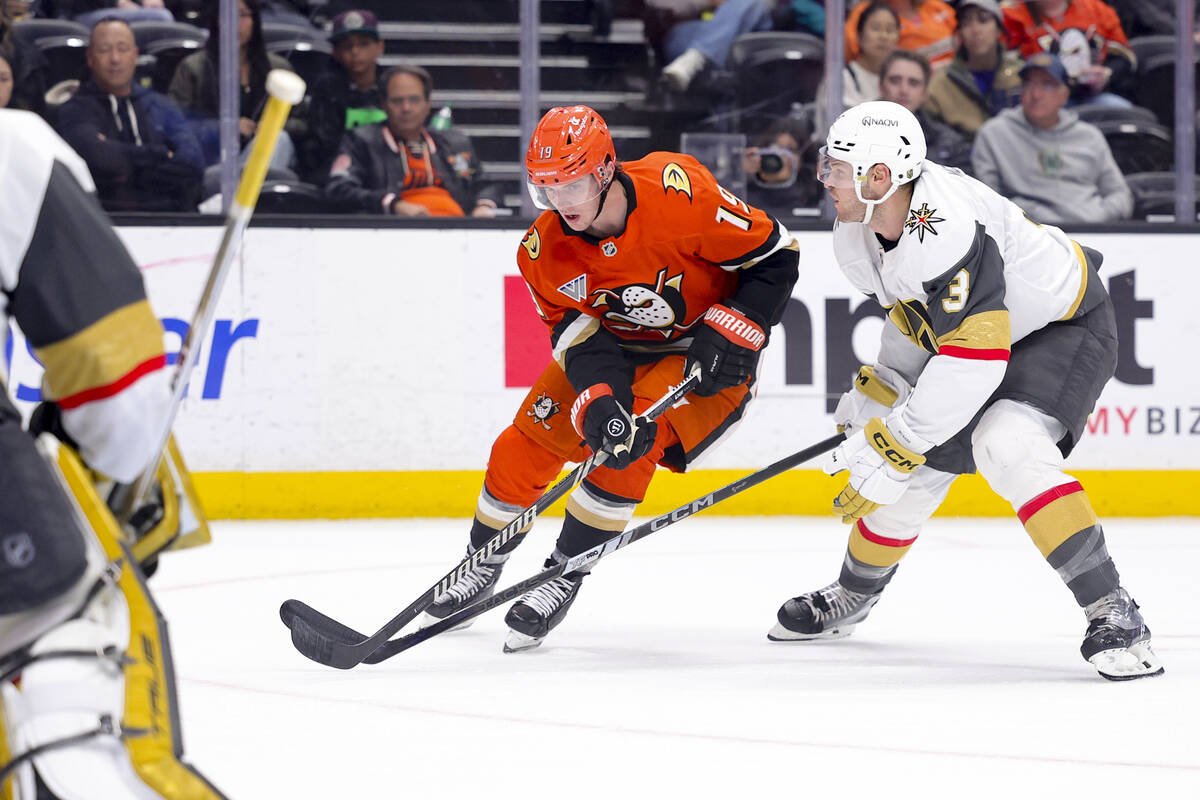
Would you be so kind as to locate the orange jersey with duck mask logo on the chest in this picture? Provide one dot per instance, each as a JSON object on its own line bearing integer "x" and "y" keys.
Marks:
{"x": 685, "y": 240}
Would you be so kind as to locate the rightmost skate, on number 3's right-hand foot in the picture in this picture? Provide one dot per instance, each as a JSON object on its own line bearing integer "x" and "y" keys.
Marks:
{"x": 1118, "y": 640}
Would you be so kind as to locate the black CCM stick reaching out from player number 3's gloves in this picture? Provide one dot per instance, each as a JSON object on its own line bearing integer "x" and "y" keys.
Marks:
{"x": 590, "y": 557}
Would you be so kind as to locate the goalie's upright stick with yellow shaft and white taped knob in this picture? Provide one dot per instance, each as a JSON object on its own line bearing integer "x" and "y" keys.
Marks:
{"x": 285, "y": 89}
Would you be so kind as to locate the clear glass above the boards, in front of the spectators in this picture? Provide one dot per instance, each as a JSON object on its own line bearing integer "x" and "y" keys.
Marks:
{"x": 136, "y": 88}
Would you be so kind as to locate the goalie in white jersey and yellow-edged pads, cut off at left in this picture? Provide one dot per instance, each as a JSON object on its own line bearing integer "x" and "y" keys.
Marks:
{"x": 88, "y": 705}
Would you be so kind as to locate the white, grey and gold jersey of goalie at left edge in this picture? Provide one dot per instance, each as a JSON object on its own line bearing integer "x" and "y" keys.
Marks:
{"x": 71, "y": 286}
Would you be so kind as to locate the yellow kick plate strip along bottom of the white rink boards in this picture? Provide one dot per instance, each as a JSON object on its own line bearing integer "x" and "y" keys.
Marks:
{"x": 304, "y": 496}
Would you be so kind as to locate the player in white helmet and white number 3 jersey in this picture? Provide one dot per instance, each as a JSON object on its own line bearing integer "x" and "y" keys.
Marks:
{"x": 1001, "y": 338}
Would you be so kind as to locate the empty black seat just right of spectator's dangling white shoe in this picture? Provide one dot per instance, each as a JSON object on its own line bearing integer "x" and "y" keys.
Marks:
{"x": 775, "y": 70}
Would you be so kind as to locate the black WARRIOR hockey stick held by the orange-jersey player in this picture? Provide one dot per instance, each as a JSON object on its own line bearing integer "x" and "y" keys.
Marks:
{"x": 327, "y": 641}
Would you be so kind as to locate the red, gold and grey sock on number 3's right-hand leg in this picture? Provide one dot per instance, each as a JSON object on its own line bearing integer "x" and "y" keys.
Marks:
{"x": 1064, "y": 526}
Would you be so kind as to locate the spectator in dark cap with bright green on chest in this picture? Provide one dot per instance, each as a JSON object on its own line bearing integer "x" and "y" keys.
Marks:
{"x": 349, "y": 97}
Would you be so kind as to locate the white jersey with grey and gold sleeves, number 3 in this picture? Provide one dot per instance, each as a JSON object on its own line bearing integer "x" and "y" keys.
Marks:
{"x": 970, "y": 276}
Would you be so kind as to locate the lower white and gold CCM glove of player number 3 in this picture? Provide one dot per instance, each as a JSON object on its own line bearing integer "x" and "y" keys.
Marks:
{"x": 880, "y": 468}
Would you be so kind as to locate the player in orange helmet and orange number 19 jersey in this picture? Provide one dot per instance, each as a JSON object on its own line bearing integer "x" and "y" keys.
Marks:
{"x": 641, "y": 270}
